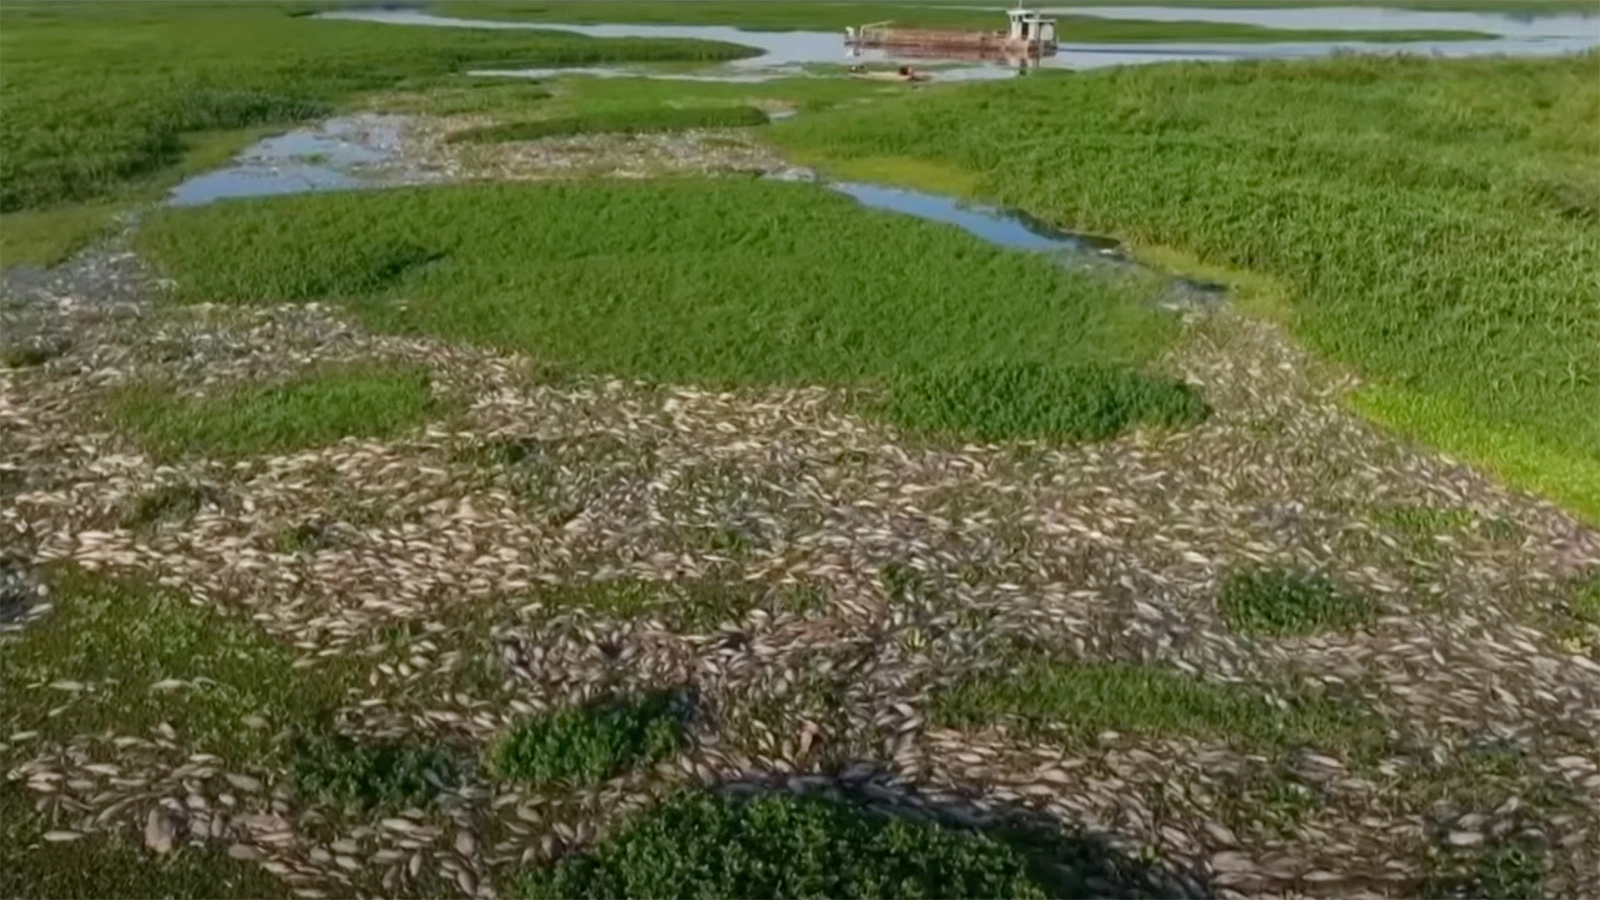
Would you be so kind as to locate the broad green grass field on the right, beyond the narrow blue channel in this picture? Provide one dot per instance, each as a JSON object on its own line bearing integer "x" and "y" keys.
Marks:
{"x": 1434, "y": 223}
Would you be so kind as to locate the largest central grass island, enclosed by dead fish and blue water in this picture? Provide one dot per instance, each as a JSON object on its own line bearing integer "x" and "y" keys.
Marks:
{"x": 681, "y": 281}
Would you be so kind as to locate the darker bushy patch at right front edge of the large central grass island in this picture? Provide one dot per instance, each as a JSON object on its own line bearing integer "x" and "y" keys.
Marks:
{"x": 1065, "y": 403}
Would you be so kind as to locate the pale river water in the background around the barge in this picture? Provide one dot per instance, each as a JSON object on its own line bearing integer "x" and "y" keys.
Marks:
{"x": 1514, "y": 34}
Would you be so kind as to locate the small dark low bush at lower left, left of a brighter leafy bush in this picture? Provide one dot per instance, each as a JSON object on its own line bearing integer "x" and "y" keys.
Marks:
{"x": 362, "y": 774}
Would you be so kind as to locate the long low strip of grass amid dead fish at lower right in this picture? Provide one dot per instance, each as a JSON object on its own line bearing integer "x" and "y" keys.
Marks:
{"x": 1076, "y": 702}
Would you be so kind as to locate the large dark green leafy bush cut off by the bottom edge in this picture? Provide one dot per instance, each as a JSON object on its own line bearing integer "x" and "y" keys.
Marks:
{"x": 782, "y": 846}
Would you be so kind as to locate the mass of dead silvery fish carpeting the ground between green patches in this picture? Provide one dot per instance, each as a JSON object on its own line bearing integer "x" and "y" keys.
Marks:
{"x": 1102, "y": 553}
